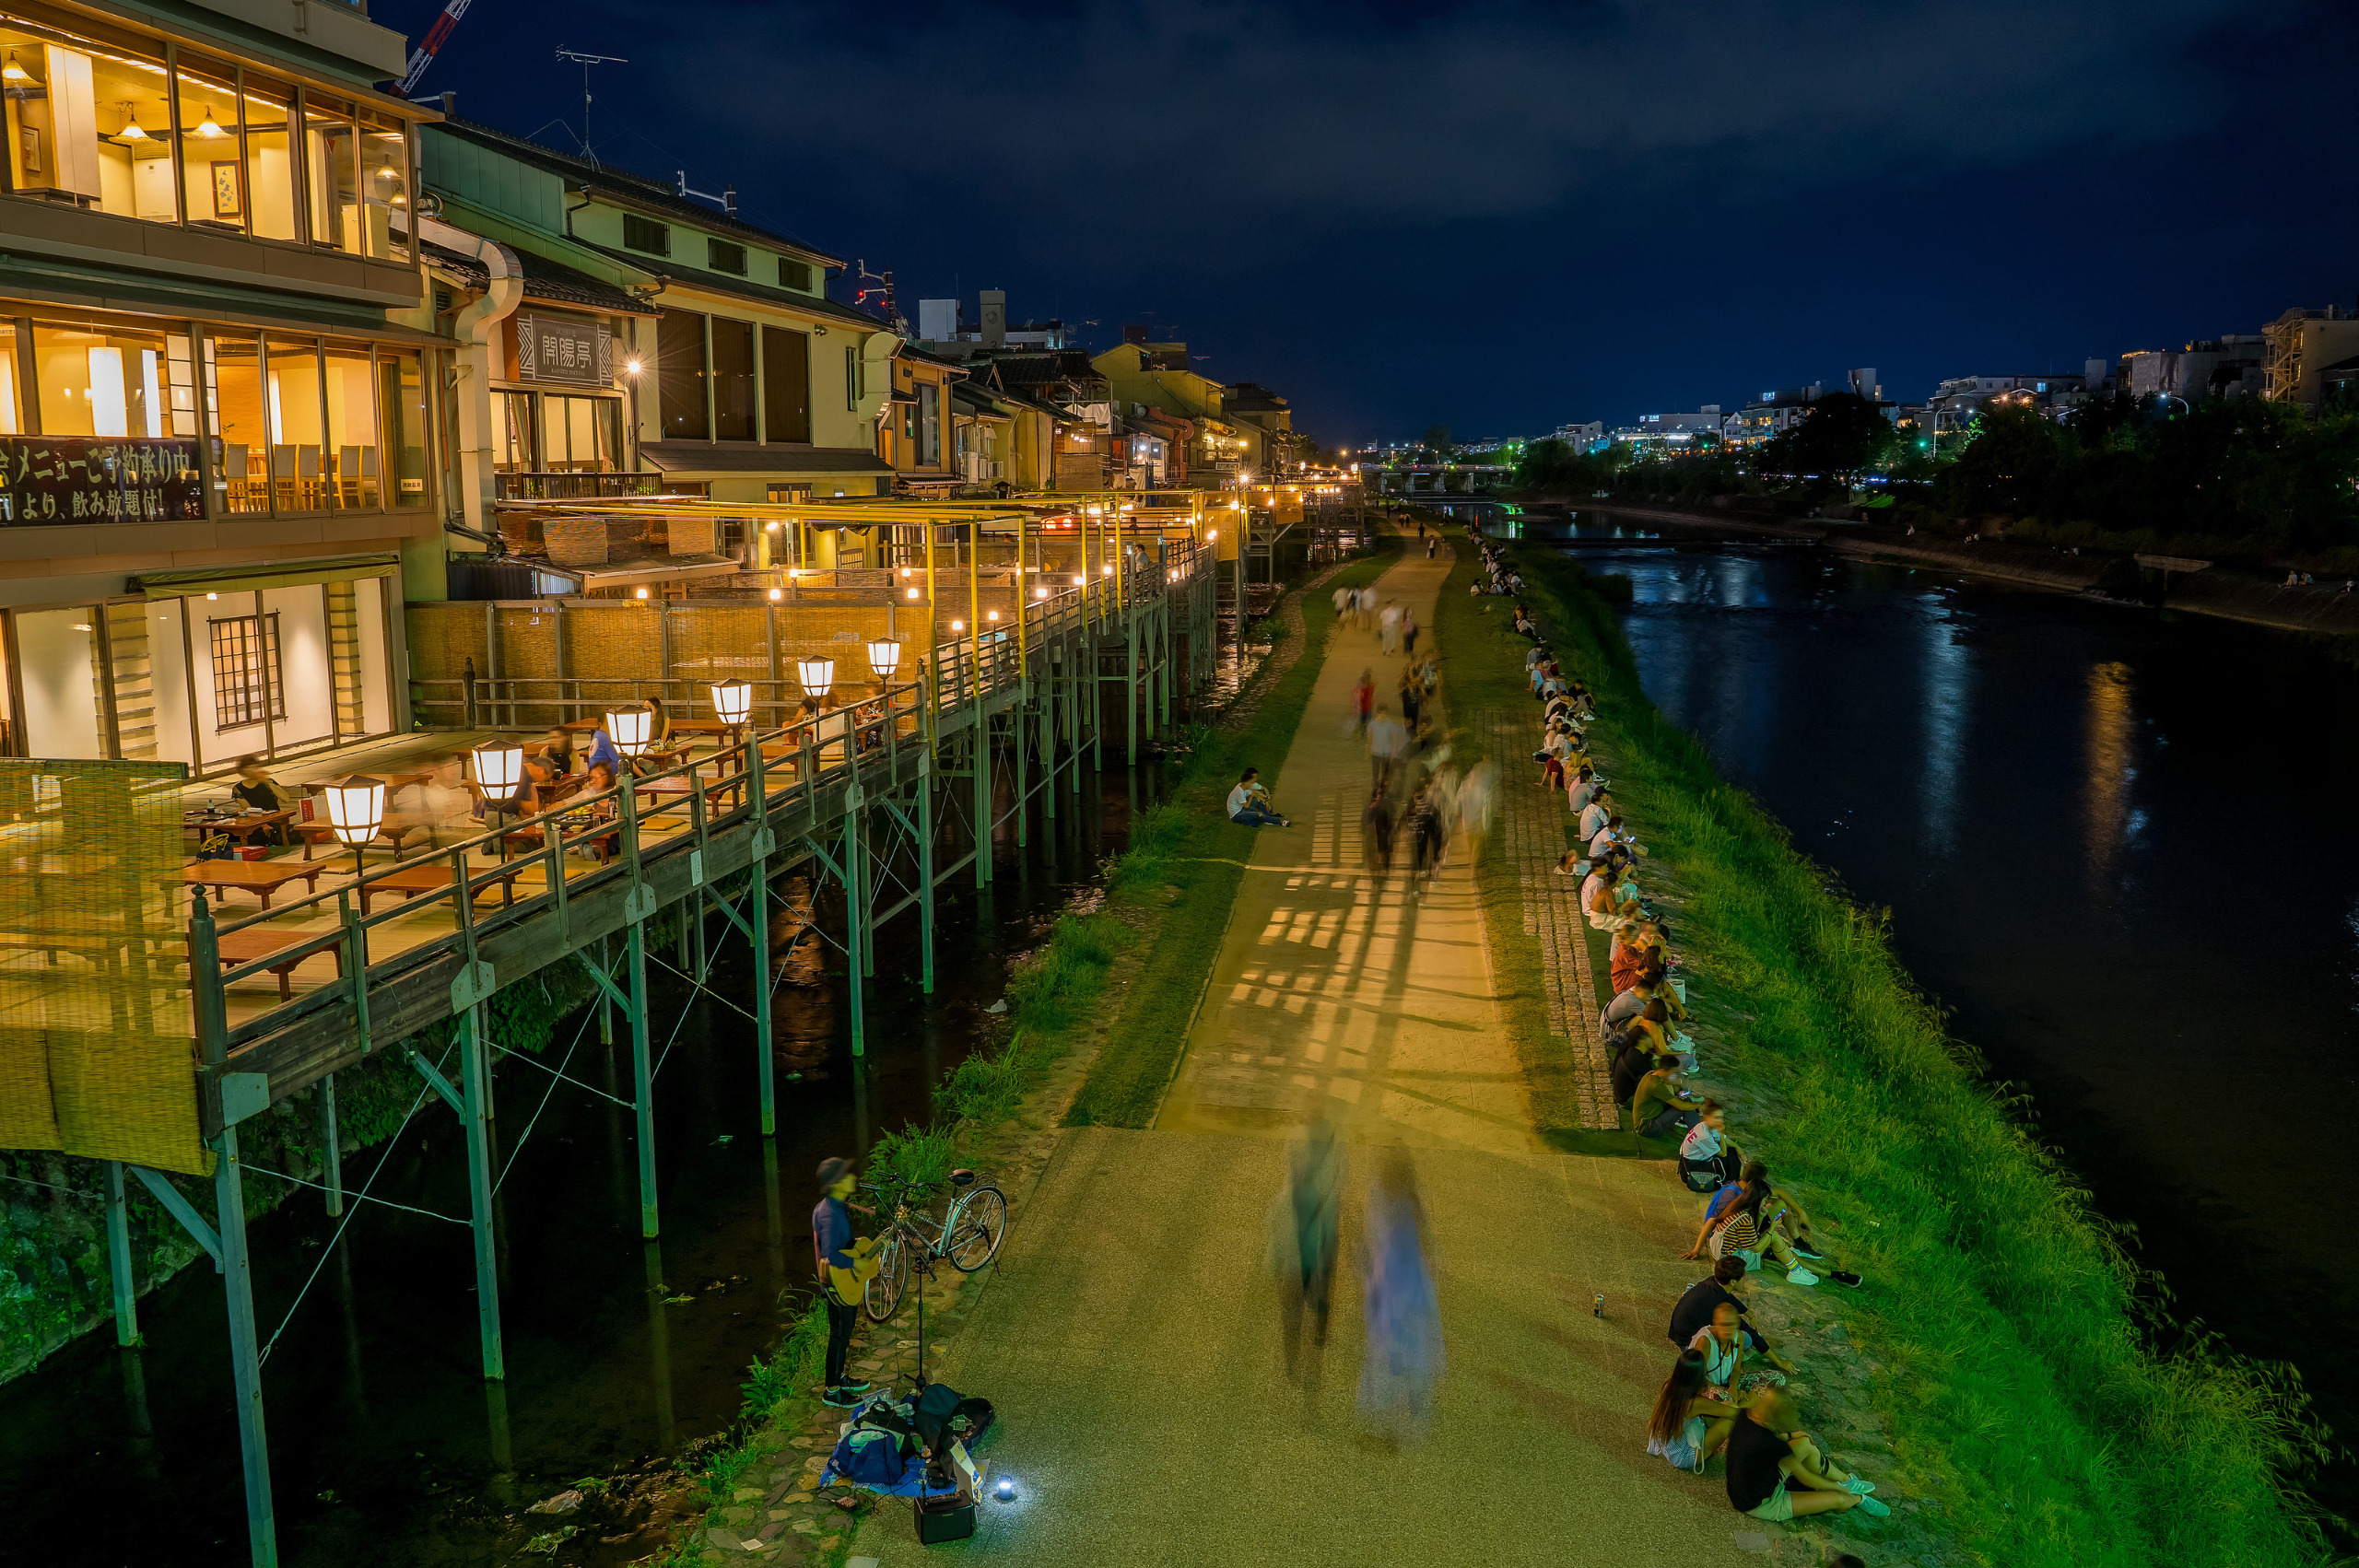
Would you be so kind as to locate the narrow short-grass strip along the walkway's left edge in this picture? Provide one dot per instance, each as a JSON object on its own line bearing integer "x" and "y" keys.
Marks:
{"x": 1192, "y": 845}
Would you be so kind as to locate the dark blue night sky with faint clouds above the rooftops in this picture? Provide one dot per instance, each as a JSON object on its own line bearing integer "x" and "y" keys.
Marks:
{"x": 1506, "y": 218}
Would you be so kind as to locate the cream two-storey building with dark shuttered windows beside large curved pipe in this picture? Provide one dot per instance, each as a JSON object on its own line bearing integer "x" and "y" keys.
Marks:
{"x": 676, "y": 348}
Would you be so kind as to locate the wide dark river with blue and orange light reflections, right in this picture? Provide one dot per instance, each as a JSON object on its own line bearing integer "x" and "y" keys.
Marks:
{"x": 2120, "y": 848}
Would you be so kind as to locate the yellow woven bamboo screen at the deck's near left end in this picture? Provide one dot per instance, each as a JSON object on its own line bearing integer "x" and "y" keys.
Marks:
{"x": 98, "y": 1046}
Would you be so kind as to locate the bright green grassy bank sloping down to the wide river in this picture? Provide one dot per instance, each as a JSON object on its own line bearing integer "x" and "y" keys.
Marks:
{"x": 2016, "y": 1373}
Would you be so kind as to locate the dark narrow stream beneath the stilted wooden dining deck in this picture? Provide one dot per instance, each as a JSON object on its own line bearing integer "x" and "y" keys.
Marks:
{"x": 388, "y": 1447}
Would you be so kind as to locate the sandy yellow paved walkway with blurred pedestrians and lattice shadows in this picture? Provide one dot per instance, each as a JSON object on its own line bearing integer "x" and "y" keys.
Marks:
{"x": 1131, "y": 1338}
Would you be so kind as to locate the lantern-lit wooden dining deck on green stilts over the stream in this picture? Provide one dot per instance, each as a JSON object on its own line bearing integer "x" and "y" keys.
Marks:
{"x": 1013, "y": 643}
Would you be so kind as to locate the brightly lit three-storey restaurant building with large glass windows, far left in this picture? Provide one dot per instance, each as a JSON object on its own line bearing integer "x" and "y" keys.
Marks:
{"x": 213, "y": 444}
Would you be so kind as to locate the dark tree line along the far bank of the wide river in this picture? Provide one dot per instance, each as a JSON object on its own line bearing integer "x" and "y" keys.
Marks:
{"x": 2226, "y": 480}
